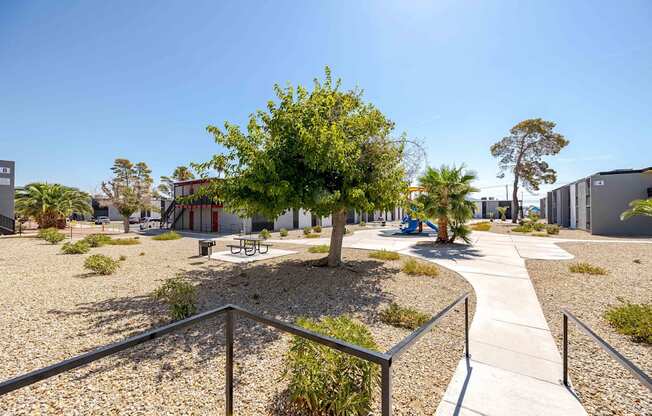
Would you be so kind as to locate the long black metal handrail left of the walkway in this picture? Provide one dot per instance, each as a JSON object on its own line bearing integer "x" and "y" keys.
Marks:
{"x": 385, "y": 360}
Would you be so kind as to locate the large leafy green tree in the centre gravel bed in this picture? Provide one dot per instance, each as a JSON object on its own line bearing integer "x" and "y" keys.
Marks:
{"x": 324, "y": 150}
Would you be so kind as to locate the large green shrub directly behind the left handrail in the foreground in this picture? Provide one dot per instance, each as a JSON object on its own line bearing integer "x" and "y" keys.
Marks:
{"x": 324, "y": 381}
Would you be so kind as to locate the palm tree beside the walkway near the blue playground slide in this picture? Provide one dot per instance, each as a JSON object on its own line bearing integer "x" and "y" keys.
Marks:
{"x": 445, "y": 199}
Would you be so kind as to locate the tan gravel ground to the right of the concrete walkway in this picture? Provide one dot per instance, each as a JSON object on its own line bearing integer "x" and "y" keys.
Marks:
{"x": 603, "y": 386}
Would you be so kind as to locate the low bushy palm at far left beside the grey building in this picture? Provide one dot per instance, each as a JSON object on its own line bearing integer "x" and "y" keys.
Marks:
{"x": 51, "y": 204}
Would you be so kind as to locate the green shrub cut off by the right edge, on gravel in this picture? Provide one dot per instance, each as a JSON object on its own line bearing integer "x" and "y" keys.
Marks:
{"x": 632, "y": 320}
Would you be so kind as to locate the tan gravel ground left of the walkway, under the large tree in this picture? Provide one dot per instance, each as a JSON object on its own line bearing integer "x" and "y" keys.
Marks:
{"x": 53, "y": 310}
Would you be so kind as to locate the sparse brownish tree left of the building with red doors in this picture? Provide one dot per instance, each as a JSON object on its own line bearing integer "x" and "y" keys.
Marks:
{"x": 130, "y": 189}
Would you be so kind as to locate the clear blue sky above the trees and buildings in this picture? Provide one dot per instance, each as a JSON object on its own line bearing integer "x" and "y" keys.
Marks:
{"x": 82, "y": 83}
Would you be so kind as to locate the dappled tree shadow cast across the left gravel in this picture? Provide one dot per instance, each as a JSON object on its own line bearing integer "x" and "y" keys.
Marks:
{"x": 283, "y": 290}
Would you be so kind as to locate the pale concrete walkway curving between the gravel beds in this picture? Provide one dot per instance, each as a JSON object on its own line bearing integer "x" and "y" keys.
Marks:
{"x": 515, "y": 367}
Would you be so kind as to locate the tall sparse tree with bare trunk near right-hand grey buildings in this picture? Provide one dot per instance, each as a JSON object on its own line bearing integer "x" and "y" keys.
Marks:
{"x": 522, "y": 153}
